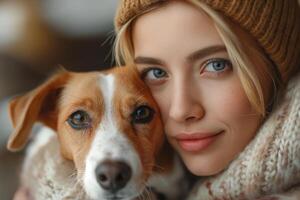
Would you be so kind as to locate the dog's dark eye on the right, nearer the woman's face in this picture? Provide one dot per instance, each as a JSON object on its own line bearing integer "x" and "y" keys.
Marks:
{"x": 142, "y": 115}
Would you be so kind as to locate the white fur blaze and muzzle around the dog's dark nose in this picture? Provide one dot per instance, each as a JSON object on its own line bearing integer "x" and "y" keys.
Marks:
{"x": 110, "y": 143}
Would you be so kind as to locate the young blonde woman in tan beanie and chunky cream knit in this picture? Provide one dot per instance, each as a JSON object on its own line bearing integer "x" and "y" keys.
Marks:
{"x": 226, "y": 77}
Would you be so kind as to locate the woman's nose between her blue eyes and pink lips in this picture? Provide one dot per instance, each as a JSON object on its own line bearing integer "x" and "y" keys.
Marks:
{"x": 185, "y": 105}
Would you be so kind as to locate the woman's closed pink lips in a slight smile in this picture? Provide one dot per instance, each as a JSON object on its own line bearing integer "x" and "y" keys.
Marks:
{"x": 196, "y": 142}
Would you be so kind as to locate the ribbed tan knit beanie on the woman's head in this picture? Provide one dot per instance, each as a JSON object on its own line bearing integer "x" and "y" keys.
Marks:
{"x": 275, "y": 24}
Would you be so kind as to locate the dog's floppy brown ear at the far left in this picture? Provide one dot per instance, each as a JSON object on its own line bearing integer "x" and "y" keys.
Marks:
{"x": 37, "y": 105}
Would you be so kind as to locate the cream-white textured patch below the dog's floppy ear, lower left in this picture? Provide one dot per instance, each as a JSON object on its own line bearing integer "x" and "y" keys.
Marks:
{"x": 46, "y": 173}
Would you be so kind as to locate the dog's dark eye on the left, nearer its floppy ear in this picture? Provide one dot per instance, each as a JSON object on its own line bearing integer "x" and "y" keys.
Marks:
{"x": 79, "y": 120}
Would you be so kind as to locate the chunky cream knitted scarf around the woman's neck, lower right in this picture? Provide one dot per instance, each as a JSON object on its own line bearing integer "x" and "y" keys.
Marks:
{"x": 269, "y": 167}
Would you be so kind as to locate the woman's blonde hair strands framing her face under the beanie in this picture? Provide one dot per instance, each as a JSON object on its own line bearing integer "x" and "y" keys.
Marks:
{"x": 248, "y": 74}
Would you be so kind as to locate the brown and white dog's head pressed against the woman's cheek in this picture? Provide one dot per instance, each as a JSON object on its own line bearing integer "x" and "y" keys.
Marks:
{"x": 109, "y": 126}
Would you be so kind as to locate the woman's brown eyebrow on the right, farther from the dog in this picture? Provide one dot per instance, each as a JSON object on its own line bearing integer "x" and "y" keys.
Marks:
{"x": 201, "y": 53}
